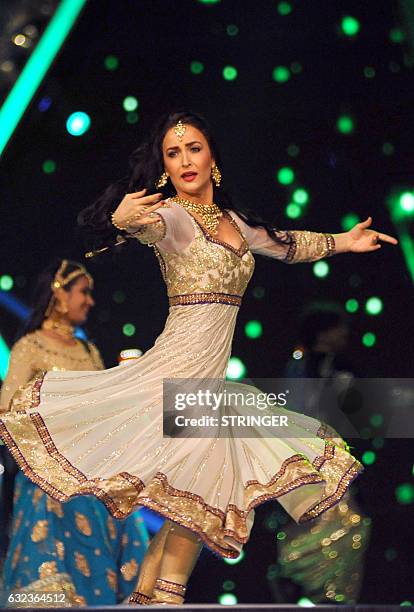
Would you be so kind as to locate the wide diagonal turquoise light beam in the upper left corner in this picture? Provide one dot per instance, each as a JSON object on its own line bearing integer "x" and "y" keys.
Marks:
{"x": 36, "y": 67}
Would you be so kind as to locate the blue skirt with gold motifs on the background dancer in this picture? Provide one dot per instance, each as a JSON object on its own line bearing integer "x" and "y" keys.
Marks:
{"x": 76, "y": 549}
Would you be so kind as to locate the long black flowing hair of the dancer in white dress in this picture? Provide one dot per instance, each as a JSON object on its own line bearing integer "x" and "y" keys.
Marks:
{"x": 145, "y": 167}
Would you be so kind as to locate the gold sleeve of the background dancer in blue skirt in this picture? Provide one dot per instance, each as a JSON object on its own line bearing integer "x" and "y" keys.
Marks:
{"x": 21, "y": 370}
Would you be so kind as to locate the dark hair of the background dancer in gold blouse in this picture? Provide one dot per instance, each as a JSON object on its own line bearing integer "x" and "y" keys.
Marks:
{"x": 42, "y": 293}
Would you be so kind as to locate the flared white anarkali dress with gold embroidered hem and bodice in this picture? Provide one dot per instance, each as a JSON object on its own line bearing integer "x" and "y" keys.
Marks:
{"x": 101, "y": 433}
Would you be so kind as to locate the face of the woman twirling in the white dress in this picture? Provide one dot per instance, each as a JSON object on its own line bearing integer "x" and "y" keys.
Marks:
{"x": 188, "y": 162}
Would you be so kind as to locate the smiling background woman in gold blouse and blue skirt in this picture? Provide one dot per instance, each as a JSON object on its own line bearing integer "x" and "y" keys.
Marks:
{"x": 69, "y": 548}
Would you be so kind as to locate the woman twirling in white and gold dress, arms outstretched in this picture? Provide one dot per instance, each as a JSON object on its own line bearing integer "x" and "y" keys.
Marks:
{"x": 100, "y": 433}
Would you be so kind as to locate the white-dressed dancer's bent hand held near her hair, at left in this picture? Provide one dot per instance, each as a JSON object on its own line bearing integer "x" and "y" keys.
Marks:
{"x": 136, "y": 210}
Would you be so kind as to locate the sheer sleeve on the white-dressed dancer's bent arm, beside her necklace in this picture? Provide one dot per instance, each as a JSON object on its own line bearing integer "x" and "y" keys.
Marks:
{"x": 172, "y": 232}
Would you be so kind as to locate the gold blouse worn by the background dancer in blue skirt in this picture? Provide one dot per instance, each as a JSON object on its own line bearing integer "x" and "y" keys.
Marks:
{"x": 37, "y": 352}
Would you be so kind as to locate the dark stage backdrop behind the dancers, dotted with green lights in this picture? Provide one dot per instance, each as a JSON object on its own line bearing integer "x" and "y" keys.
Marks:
{"x": 255, "y": 119}
